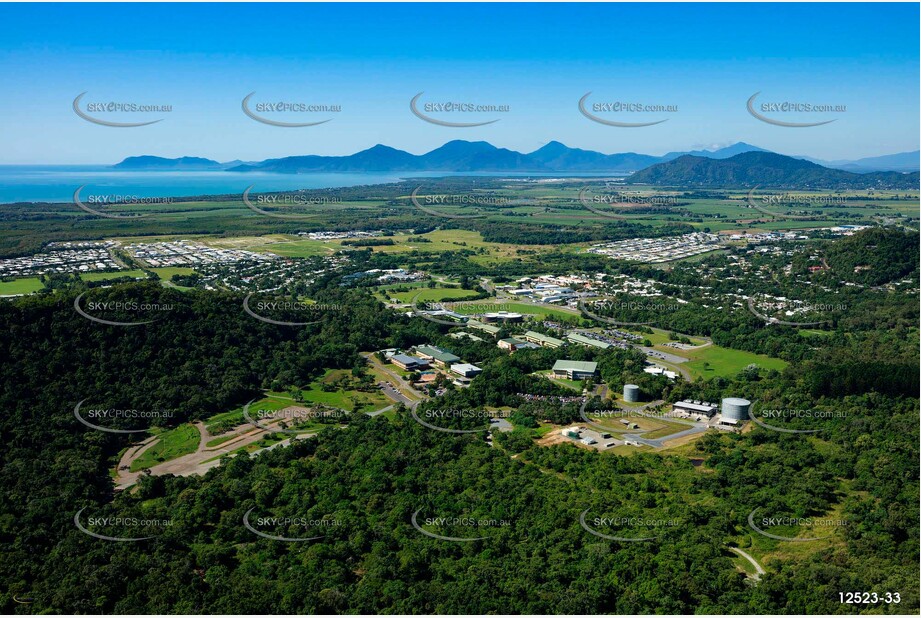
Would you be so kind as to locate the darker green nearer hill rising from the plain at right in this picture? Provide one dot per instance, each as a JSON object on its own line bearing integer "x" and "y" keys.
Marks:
{"x": 767, "y": 170}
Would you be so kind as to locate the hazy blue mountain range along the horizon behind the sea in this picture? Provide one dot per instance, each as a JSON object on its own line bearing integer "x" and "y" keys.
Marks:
{"x": 463, "y": 156}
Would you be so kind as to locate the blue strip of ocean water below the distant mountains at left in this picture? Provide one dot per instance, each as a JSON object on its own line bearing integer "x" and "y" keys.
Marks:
{"x": 57, "y": 183}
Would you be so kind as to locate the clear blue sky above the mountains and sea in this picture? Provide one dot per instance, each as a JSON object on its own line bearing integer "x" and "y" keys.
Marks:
{"x": 371, "y": 59}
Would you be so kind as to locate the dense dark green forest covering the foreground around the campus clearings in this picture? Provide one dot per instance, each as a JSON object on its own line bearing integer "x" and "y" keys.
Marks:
{"x": 371, "y": 477}
